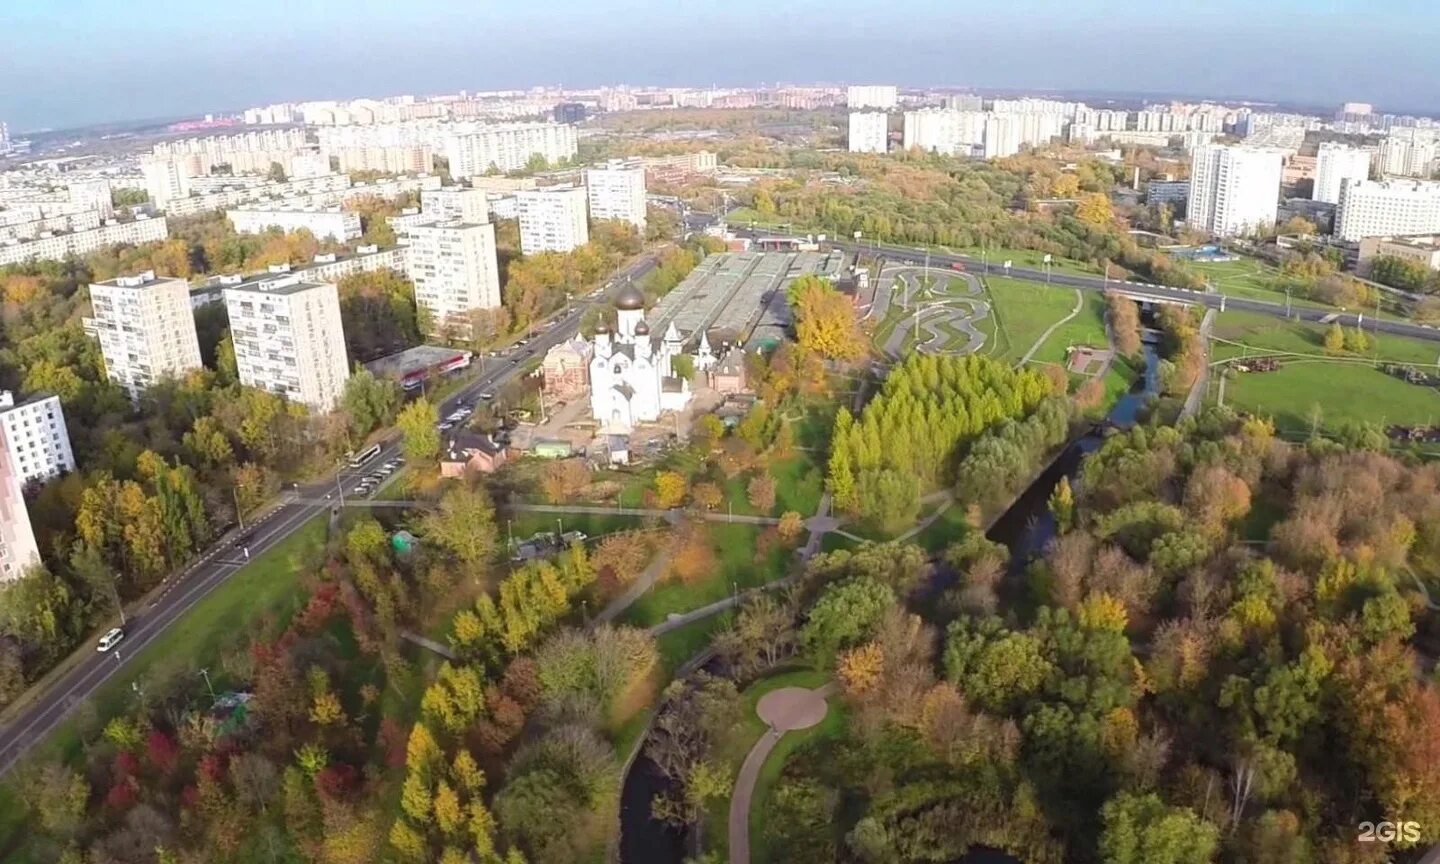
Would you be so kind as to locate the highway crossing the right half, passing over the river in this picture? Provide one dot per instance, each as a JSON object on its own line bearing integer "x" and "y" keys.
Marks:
{"x": 906, "y": 254}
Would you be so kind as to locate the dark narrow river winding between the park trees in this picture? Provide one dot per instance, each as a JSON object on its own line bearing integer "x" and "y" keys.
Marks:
{"x": 1025, "y": 529}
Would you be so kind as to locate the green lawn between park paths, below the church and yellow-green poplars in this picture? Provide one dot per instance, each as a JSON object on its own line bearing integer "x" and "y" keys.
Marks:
{"x": 735, "y": 570}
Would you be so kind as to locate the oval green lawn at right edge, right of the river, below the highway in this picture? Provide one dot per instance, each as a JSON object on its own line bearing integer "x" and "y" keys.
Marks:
{"x": 1344, "y": 392}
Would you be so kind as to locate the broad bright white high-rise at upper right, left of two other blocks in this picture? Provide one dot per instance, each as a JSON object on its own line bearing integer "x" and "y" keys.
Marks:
{"x": 1233, "y": 191}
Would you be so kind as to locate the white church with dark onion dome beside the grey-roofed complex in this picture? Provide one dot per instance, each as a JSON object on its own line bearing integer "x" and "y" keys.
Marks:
{"x": 633, "y": 377}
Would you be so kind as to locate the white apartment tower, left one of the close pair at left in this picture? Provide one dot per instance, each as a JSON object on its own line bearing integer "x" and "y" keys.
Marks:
{"x": 146, "y": 329}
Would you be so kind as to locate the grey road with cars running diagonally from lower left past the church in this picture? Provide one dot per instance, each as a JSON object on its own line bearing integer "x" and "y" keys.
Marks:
{"x": 185, "y": 590}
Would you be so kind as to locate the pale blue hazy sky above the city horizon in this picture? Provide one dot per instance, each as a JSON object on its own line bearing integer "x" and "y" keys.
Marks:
{"x": 68, "y": 63}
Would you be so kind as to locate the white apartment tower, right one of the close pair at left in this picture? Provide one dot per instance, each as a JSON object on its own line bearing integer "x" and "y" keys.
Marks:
{"x": 289, "y": 339}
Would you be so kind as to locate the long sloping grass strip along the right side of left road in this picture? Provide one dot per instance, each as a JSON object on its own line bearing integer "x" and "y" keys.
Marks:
{"x": 263, "y": 593}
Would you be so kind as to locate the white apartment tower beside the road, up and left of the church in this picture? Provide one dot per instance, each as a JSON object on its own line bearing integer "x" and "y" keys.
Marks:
{"x": 456, "y": 273}
